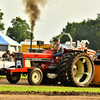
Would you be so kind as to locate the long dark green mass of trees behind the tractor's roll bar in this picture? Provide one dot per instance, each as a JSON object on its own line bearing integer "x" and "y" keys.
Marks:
{"x": 86, "y": 30}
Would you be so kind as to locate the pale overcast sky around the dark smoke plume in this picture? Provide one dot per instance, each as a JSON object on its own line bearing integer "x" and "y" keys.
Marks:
{"x": 54, "y": 16}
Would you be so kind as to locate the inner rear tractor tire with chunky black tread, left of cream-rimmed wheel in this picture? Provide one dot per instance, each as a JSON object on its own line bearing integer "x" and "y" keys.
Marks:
{"x": 63, "y": 67}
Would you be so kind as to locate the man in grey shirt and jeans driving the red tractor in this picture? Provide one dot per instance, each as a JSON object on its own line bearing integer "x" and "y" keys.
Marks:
{"x": 58, "y": 50}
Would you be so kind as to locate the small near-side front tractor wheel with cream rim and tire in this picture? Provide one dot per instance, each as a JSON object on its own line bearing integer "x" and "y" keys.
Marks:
{"x": 35, "y": 76}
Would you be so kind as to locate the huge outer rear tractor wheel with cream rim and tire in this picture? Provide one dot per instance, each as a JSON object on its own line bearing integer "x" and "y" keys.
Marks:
{"x": 81, "y": 70}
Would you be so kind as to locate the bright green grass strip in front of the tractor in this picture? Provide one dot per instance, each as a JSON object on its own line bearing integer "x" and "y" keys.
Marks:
{"x": 47, "y": 89}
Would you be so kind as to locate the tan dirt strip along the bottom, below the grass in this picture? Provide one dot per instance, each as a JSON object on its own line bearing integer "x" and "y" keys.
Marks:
{"x": 38, "y": 97}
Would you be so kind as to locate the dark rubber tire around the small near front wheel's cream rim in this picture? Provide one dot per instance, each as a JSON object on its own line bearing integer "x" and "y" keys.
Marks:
{"x": 30, "y": 76}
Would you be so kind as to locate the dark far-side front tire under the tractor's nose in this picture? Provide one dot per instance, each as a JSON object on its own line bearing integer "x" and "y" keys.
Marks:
{"x": 10, "y": 79}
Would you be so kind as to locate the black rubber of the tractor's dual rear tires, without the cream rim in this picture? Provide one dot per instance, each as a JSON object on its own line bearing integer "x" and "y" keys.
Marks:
{"x": 65, "y": 69}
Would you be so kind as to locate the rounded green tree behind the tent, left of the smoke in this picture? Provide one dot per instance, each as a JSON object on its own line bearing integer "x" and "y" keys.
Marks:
{"x": 19, "y": 31}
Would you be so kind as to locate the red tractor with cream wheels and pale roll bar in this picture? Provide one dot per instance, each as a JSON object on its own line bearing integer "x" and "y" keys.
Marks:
{"x": 75, "y": 67}
